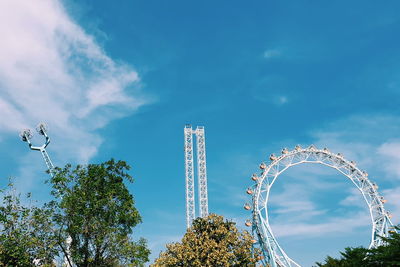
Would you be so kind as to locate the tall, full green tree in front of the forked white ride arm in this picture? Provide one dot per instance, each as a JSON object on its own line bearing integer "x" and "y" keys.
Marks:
{"x": 96, "y": 210}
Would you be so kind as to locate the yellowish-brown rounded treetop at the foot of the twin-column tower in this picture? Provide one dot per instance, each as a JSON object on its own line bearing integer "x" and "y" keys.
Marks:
{"x": 209, "y": 242}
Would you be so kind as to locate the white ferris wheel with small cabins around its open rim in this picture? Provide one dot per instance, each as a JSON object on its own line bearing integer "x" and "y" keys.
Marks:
{"x": 271, "y": 253}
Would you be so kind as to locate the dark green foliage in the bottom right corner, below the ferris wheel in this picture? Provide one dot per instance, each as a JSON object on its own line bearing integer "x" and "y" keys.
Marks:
{"x": 383, "y": 256}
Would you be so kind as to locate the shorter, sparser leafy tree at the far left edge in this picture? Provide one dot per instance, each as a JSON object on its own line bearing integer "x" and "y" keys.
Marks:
{"x": 26, "y": 237}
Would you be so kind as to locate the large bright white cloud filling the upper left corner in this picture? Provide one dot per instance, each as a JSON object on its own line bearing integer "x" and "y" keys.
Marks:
{"x": 52, "y": 70}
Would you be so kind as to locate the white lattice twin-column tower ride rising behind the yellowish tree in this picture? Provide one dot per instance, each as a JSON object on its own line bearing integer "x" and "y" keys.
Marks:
{"x": 201, "y": 173}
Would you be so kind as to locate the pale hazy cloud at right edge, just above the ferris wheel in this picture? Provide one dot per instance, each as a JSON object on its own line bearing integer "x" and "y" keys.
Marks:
{"x": 368, "y": 140}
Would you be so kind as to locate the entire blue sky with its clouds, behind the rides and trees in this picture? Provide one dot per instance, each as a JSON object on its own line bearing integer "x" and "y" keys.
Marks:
{"x": 122, "y": 79}
